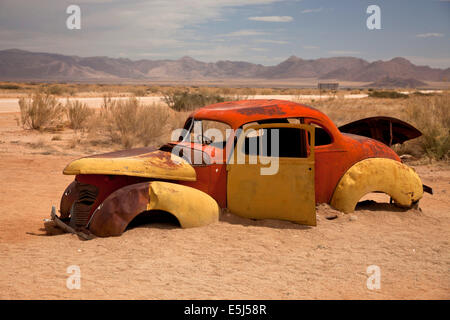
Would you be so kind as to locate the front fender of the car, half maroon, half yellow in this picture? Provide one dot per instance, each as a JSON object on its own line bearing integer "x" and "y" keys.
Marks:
{"x": 192, "y": 207}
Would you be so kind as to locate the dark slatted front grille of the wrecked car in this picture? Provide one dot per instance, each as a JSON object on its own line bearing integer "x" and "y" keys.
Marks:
{"x": 81, "y": 208}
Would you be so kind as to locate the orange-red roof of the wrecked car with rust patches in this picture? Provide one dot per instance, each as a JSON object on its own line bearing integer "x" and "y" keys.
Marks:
{"x": 237, "y": 113}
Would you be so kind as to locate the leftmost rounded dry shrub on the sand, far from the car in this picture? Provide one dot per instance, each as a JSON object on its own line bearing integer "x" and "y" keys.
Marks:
{"x": 40, "y": 110}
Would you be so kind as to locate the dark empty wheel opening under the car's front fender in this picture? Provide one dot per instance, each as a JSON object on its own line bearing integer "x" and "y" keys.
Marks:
{"x": 154, "y": 219}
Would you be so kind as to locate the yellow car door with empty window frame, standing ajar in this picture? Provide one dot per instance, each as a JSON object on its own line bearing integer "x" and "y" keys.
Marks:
{"x": 288, "y": 194}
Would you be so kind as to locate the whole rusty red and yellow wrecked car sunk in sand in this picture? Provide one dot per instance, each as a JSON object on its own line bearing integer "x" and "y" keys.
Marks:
{"x": 317, "y": 163}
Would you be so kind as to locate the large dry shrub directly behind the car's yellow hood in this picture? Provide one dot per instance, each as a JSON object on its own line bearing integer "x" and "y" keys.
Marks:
{"x": 130, "y": 123}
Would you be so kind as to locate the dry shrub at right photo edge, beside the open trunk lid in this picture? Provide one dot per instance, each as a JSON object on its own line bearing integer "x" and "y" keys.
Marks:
{"x": 431, "y": 115}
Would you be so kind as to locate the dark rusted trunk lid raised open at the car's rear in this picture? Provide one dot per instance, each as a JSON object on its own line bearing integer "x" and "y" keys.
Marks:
{"x": 388, "y": 130}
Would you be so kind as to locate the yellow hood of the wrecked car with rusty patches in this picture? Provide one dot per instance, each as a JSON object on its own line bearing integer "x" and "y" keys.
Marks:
{"x": 143, "y": 162}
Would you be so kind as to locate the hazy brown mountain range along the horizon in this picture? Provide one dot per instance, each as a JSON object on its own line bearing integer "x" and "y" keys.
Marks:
{"x": 18, "y": 64}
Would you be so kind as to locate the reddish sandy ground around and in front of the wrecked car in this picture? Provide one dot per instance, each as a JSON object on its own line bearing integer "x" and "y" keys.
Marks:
{"x": 235, "y": 258}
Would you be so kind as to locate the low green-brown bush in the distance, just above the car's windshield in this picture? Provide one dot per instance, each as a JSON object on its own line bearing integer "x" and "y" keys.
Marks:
{"x": 186, "y": 101}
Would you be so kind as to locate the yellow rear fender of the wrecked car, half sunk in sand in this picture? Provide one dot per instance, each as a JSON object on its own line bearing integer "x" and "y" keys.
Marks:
{"x": 394, "y": 178}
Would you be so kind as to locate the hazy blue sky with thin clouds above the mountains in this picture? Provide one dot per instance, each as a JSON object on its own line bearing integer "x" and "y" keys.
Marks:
{"x": 260, "y": 31}
